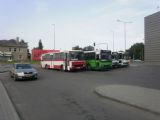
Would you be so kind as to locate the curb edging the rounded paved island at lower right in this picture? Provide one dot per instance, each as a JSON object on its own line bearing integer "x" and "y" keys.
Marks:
{"x": 96, "y": 91}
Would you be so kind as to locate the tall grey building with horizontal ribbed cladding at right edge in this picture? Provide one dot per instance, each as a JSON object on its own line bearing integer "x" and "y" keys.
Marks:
{"x": 152, "y": 38}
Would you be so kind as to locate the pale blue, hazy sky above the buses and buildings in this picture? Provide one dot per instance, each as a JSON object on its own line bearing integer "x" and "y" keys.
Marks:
{"x": 77, "y": 22}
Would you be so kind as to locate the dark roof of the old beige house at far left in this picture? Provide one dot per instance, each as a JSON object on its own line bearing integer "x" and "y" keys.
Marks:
{"x": 13, "y": 43}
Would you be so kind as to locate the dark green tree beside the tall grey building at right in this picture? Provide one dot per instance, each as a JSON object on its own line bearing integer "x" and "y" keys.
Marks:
{"x": 137, "y": 51}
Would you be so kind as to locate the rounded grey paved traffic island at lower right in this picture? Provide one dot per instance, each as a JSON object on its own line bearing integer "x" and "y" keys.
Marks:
{"x": 140, "y": 97}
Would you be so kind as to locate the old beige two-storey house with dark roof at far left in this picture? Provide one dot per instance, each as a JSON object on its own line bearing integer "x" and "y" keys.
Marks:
{"x": 13, "y": 50}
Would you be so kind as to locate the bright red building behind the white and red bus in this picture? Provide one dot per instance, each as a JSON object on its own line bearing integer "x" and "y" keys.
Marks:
{"x": 36, "y": 53}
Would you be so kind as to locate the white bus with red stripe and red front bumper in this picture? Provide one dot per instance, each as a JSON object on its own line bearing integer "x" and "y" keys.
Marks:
{"x": 65, "y": 60}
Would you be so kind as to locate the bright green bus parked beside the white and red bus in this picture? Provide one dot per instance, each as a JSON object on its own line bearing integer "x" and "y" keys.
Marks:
{"x": 98, "y": 60}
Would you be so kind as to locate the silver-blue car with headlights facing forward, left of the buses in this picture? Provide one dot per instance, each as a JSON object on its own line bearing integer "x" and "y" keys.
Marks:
{"x": 20, "y": 71}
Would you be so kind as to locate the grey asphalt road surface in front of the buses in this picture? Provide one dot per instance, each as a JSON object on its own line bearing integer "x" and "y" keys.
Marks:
{"x": 60, "y": 95}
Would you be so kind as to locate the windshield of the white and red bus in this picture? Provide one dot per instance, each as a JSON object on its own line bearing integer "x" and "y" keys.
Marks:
{"x": 76, "y": 55}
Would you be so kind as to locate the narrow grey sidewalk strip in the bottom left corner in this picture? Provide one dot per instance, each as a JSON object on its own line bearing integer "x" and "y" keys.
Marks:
{"x": 7, "y": 111}
